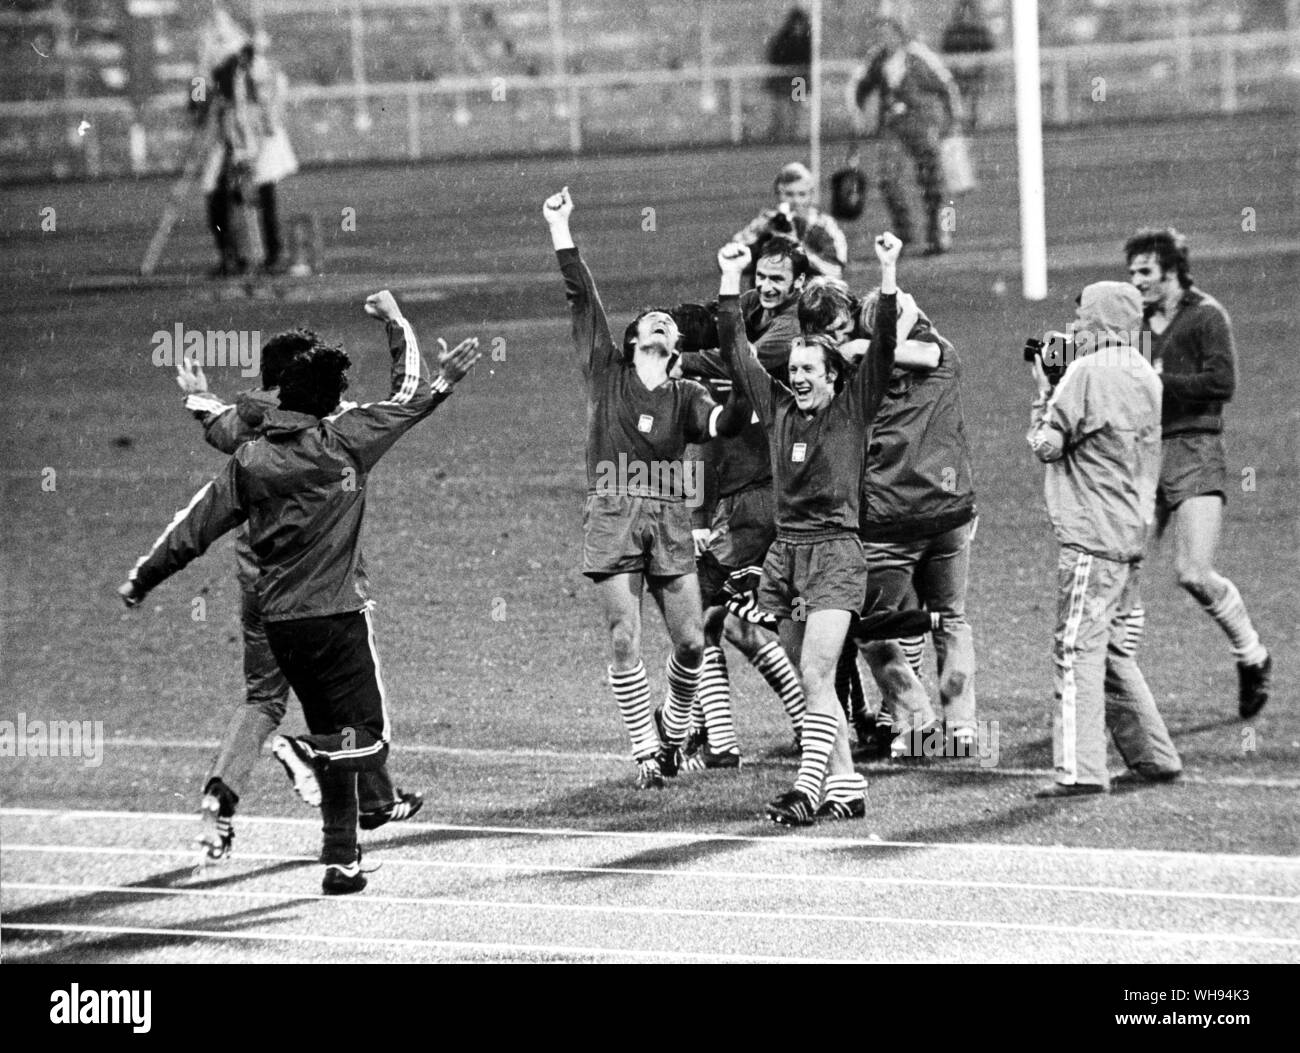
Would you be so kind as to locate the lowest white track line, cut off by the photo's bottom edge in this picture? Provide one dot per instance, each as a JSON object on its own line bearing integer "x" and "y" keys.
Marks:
{"x": 595, "y": 952}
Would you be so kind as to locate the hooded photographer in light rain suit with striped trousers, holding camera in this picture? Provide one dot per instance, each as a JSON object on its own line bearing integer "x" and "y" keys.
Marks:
{"x": 1098, "y": 430}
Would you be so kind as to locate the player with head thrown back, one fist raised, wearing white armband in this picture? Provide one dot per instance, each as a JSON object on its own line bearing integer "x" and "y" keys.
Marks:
{"x": 636, "y": 525}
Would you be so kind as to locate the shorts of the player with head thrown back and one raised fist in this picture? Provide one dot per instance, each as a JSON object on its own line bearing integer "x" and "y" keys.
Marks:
{"x": 634, "y": 535}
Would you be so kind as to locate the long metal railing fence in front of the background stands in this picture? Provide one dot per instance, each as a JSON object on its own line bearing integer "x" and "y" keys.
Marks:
{"x": 643, "y": 110}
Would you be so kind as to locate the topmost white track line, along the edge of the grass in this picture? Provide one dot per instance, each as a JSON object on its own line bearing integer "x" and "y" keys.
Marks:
{"x": 687, "y": 838}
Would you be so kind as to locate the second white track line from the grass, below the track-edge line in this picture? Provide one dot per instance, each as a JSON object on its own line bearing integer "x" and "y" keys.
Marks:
{"x": 704, "y": 876}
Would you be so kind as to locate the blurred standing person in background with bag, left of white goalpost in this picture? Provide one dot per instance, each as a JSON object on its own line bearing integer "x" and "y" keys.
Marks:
{"x": 920, "y": 106}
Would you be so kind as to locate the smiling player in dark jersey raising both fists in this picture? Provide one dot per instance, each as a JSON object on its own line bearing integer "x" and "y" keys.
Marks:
{"x": 816, "y": 574}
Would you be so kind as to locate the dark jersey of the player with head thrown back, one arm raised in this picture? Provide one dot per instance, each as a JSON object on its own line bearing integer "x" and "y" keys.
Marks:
{"x": 635, "y": 437}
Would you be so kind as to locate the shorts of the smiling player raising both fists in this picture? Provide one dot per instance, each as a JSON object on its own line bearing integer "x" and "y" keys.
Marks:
{"x": 803, "y": 578}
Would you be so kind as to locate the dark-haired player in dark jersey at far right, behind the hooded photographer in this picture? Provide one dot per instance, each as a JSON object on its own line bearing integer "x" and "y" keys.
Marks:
{"x": 1191, "y": 345}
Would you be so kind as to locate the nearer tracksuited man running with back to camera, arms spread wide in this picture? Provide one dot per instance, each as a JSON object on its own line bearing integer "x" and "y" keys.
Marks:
{"x": 301, "y": 487}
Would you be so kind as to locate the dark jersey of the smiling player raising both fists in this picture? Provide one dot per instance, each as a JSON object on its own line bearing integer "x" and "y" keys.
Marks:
{"x": 817, "y": 458}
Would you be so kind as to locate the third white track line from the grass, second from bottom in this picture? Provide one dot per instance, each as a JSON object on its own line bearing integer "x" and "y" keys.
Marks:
{"x": 859, "y": 920}
